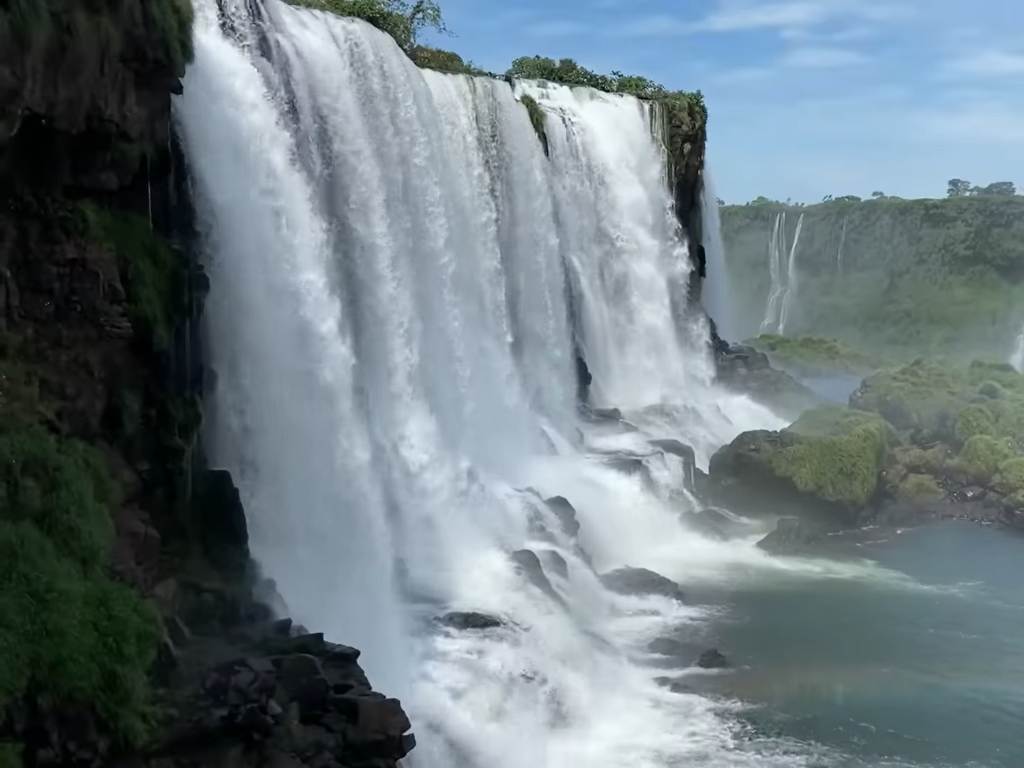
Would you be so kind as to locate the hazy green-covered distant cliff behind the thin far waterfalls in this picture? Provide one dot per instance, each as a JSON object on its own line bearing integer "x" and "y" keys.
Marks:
{"x": 892, "y": 278}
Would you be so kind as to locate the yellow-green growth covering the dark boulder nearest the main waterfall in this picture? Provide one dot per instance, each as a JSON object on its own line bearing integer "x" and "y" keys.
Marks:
{"x": 839, "y": 458}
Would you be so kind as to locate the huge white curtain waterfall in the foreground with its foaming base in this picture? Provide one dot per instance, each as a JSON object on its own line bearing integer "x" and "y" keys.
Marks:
{"x": 401, "y": 282}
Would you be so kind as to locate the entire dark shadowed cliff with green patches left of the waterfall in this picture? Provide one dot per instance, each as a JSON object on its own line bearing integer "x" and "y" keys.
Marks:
{"x": 127, "y": 596}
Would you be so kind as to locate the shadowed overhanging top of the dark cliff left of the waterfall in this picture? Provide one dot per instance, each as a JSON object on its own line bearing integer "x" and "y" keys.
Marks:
{"x": 86, "y": 89}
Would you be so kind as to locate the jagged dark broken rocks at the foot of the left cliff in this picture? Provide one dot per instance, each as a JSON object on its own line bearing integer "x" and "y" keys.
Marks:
{"x": 273, "y": 696}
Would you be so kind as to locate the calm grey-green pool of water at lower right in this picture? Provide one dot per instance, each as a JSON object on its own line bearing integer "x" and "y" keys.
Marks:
{"x": 919, "y": 661}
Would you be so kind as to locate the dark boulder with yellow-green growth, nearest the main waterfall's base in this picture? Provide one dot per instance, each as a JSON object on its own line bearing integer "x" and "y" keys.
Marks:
{"x": 832, "y": 458}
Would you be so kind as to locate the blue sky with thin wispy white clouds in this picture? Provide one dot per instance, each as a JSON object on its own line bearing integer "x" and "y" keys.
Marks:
{"x": 807, "y": 98}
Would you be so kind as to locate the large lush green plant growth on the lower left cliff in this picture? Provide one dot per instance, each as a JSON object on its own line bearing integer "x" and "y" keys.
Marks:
{"x": 78, "y": 639}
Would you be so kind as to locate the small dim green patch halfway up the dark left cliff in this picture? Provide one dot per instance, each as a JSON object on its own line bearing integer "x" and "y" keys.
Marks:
{"x": 155, "y": 281}
